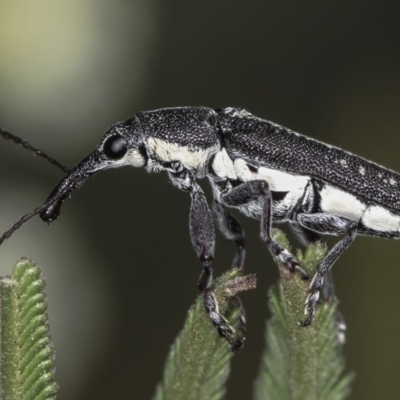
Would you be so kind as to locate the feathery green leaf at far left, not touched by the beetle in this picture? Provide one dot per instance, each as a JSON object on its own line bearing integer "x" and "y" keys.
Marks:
{"x": 27, "y": 356}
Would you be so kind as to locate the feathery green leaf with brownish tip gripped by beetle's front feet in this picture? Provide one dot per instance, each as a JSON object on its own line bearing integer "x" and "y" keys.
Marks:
{"x": 199, "y": 361}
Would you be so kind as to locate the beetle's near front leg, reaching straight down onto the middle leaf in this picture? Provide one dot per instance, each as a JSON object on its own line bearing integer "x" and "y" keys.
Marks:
{"x": 203, "y": 240}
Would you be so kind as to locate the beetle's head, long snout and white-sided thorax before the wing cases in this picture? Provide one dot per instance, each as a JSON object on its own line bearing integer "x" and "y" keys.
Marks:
{"x": 155, "y": 138}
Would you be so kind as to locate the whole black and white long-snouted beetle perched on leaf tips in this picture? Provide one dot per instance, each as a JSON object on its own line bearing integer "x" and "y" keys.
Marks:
{"x": 266, "y": 171}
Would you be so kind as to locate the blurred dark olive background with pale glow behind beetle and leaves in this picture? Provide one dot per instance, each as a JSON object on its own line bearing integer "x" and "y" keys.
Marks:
{"x": 120, "y": 270}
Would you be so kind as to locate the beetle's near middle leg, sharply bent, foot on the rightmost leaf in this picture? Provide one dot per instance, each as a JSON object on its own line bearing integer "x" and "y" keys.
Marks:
{"x": 251, "y": 191}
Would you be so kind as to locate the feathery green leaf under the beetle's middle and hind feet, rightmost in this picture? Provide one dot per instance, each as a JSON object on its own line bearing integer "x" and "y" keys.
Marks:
{"x": 301, "y": 362}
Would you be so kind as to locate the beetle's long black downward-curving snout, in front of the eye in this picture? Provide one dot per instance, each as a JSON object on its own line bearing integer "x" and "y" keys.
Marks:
{"x": 75, "y": 179}
